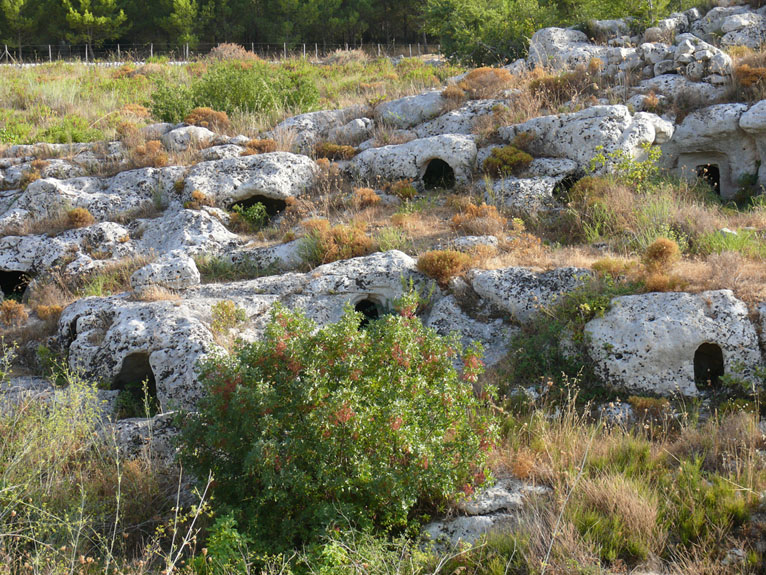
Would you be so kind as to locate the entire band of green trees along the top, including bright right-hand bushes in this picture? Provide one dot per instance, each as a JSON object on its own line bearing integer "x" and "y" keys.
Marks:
{"x": 474, "y": 30}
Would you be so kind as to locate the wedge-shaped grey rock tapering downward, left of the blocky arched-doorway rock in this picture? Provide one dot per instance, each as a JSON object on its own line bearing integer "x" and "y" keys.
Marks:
{"x": 521, "y": 292}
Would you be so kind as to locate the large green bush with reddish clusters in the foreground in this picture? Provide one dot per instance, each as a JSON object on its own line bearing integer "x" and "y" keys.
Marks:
{"x": 311, "y": 427}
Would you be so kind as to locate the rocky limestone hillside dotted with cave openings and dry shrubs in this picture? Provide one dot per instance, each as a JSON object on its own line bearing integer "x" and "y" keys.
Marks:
{"x": 620, "y": 171}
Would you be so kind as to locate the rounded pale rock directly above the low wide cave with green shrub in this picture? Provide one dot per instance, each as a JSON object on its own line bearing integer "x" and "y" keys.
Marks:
{"x": 277, "y": 175}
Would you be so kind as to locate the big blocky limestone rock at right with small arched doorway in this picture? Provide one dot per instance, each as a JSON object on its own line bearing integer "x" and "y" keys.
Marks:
{"x": 651, "y": 342}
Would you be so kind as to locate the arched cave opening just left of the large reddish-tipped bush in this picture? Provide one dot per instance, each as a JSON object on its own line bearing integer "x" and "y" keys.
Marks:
{"x": 137, "y": 386}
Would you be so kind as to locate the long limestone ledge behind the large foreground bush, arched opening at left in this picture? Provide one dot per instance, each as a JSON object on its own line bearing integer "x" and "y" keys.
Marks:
{"x": 116, "y": 339}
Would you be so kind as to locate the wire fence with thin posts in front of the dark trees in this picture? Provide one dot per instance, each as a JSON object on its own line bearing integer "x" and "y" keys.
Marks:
{"x": 123, "y": 53}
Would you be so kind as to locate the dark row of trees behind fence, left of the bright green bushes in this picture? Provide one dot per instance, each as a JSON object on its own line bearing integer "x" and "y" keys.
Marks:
{"x": 193, "y": 22}
